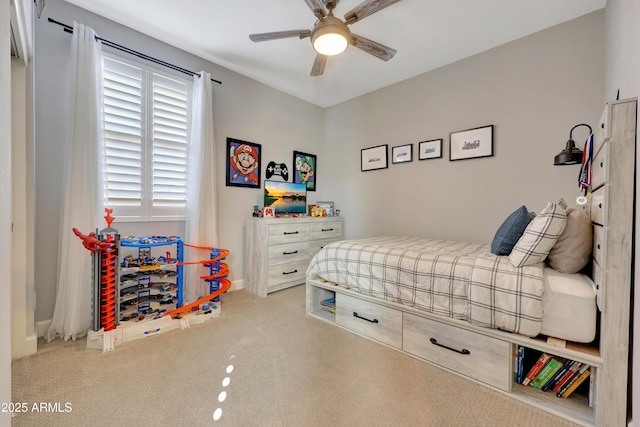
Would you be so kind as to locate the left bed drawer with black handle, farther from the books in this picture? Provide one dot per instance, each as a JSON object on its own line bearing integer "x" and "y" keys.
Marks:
{"x": 381, "y": 323}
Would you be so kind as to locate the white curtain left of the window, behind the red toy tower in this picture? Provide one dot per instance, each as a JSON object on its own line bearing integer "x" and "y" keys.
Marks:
{"x": 82, "y": 204}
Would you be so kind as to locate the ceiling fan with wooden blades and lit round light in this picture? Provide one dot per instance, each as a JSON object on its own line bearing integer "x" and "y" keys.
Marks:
{"x": 331, "y": 35}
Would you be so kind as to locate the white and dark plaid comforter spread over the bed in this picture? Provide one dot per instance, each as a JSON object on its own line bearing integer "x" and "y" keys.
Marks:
{"x": 454, "y": 279}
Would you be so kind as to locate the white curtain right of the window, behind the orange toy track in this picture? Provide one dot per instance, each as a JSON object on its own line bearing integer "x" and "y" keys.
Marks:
{"x": 201, "y": 223}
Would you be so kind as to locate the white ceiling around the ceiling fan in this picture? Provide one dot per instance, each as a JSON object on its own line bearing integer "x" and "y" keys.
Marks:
{"x": 426, "y": 33}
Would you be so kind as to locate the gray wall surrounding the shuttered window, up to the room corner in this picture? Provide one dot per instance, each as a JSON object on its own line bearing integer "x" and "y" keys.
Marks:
{"x": 243, "y": 109}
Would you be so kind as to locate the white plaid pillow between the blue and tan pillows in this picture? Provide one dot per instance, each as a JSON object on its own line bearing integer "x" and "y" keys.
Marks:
{"x": 540, "y": 236}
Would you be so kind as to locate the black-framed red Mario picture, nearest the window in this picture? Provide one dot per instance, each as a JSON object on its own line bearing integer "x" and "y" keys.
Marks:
{"x": 243, "y": 163}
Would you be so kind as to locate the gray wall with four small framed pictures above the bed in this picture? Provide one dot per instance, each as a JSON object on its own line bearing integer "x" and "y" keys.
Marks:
{"x": 532, "y": 90}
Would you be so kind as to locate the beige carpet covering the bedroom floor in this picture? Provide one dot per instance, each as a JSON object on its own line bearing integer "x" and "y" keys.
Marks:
{"x": 282, "y": 367}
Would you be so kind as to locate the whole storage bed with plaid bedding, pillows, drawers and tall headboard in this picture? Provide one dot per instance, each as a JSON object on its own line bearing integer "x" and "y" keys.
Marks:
{"x": 558, "y": 281}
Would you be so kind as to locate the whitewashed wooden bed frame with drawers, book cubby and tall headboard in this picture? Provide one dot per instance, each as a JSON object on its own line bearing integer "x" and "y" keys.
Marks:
{"x": 486, "y": 356}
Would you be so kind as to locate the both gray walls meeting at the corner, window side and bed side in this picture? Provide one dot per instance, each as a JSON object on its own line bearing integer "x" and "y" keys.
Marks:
{"x": 533, "y": 90}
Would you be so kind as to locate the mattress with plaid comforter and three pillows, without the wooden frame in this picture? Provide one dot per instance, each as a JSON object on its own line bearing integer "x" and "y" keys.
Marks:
{"x": 481, "y": 283}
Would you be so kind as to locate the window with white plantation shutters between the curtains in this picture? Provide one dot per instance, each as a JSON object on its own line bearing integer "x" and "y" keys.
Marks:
{"x": 146, "y": 131}
